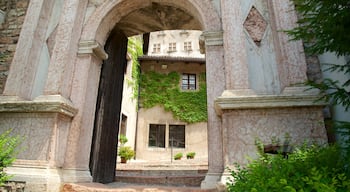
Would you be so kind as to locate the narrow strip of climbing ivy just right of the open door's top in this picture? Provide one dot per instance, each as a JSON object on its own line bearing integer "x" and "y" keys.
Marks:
{"x": 135, "y": 50}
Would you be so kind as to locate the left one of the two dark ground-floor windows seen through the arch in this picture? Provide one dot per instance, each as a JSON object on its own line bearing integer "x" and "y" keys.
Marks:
{"x": 156, "y": 135}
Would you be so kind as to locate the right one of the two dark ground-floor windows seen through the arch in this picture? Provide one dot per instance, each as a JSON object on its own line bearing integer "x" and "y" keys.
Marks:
{"x": 177, "y": 136}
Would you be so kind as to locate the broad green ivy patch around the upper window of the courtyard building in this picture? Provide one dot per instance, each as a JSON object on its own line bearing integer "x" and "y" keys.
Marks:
{"x": 164, "y": 89}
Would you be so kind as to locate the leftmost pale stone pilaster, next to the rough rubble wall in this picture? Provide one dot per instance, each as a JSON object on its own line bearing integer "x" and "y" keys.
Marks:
{"x": 25, "y": 68}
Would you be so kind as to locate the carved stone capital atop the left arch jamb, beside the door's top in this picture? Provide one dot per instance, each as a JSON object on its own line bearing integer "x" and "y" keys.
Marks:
{"x": 92, "y": 47}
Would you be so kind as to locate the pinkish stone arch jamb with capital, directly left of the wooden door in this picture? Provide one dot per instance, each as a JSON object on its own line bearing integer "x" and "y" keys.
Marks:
{"x": 84, "y": 95}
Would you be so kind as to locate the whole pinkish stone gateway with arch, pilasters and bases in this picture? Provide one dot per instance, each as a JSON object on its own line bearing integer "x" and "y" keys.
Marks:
{"x": 51, "y": 90}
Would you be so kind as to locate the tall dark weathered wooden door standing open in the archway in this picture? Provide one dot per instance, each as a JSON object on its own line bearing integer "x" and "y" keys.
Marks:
{"x": 108, "y": 107}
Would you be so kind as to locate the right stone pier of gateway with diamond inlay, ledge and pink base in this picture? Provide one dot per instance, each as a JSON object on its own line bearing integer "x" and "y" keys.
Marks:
{"x": 250, "y": 112}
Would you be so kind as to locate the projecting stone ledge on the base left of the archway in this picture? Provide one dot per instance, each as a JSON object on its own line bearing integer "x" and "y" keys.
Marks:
{"x": 41, "y": 104}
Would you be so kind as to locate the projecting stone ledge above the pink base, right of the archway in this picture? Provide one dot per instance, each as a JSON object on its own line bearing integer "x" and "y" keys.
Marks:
{"x": 247, "y": 99}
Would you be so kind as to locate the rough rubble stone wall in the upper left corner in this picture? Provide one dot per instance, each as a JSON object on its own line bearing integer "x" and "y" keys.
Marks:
{"x": 14, "y": 12}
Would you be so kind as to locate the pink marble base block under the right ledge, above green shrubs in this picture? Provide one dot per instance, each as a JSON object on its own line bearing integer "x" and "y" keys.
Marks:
{"x": 243, "y": 127}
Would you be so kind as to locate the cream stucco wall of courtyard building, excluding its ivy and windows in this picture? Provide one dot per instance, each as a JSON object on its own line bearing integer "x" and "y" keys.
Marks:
{"x": 195, "y": 133}
